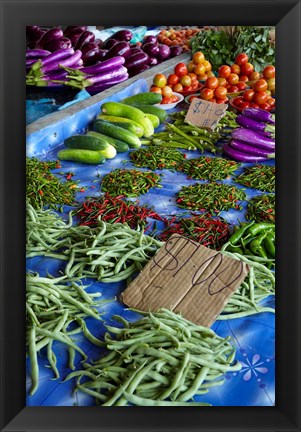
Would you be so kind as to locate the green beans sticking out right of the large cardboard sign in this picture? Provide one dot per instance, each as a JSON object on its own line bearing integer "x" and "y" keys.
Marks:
{"x": 257, "y": 286}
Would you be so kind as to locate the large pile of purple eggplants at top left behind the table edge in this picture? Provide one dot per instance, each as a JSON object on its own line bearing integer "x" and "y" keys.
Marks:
{"x": 74, "y": 57}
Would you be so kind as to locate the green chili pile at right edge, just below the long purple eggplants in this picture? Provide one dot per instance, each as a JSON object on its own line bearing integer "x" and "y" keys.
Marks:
{"x": 261, "y": 177}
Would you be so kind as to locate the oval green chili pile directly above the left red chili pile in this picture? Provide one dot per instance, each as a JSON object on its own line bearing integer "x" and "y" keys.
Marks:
{"x": 129, "y": 183}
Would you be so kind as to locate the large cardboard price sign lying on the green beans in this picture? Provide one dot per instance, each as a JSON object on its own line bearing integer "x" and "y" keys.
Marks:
{"x": 187, "y": 278}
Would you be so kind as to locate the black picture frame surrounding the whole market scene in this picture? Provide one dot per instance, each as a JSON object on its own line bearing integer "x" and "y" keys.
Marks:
{"x": 15, "y": 15}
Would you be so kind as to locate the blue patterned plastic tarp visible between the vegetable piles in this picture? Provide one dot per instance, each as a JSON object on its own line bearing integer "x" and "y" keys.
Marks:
{"x": 253, "y": 336}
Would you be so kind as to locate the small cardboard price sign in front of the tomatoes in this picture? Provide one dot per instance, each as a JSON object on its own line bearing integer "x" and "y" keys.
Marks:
{"x": 205, "y": 114}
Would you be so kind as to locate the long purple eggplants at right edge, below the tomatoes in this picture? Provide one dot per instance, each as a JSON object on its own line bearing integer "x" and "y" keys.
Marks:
{"x": 254, "y": 139}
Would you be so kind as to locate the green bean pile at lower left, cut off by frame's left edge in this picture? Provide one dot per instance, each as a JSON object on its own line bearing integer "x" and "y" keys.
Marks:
{"x": 52, "y": 304}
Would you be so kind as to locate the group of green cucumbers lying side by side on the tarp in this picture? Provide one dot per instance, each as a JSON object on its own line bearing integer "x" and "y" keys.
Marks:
{"x": 119, "y": 127}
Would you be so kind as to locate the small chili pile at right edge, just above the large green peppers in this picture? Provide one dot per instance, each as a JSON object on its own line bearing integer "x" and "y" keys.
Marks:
{"x": 261, "y": 208}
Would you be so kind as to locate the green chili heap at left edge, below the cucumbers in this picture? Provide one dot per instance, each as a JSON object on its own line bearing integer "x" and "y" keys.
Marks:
{"x": 44, "y": 188}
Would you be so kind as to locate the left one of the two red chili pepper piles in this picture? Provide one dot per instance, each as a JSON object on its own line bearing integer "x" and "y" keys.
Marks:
{"x": 113, "y": 210}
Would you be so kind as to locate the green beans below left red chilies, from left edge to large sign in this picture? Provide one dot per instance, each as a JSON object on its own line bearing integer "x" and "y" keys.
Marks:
{"x": 107, "y": 252}
